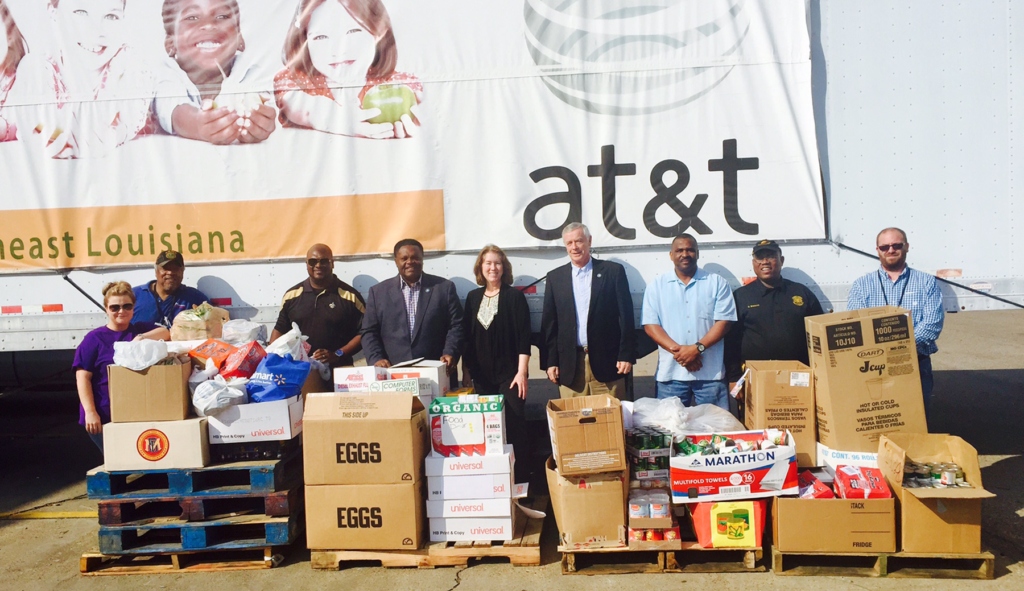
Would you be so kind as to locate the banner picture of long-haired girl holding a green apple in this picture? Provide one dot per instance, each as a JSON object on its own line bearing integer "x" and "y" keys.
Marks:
{"x": 340, "y": 76}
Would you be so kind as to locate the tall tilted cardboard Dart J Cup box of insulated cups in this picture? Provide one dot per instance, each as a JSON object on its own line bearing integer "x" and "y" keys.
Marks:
{"x": 867, "y": 381}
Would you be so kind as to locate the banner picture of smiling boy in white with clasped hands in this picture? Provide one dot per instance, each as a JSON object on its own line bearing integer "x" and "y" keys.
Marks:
{"x": 201, "y": 95}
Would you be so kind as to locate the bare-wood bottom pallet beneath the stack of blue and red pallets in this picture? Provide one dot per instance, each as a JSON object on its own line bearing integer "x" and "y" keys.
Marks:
{"x": 95, "y": 564}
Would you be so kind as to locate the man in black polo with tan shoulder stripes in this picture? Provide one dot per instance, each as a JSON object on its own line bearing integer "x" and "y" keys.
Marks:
{"x": 327, "y": 310}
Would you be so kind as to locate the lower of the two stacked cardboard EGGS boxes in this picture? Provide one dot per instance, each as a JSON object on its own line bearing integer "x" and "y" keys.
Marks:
{"x": 365, "y": 517}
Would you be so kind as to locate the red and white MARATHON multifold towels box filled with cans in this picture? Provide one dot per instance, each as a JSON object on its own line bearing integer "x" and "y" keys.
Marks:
{"x": 726, "y": 477}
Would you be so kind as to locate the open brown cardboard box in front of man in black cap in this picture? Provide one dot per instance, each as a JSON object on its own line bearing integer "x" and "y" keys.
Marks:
{"x": 781, "y": 396}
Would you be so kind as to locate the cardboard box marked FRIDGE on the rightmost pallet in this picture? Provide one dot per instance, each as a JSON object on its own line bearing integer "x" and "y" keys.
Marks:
{"x": 835, "y": 525}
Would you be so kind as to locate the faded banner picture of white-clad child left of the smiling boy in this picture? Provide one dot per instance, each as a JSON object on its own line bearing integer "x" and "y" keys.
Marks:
{"x": 86, "y": 113}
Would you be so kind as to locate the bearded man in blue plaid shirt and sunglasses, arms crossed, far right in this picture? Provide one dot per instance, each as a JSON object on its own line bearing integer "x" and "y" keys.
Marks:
{"x": 895, "y": 284}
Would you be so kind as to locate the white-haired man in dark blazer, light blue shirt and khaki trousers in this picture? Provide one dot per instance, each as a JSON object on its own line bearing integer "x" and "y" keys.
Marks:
{"x": 588, "y": 322}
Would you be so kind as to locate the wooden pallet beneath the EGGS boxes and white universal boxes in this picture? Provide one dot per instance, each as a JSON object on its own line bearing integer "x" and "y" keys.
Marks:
{"x": 525, "y": 551}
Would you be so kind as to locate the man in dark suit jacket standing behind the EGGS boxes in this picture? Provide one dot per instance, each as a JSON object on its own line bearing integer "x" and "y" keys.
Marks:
{"x": 412, "y": 316}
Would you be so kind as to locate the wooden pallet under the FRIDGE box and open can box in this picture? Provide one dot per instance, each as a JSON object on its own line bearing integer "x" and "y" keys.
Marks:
{"x": 893, "y": 566}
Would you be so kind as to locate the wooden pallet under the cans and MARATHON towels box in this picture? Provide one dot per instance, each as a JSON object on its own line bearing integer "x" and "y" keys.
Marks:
{"x": 693, "y": 559}
